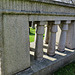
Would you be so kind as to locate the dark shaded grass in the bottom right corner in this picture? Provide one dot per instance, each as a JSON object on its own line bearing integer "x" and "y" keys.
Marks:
{"x": 66, "y": 70}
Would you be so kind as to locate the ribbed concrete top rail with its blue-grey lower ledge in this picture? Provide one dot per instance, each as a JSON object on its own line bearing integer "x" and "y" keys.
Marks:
{"x": 37, "y": 6}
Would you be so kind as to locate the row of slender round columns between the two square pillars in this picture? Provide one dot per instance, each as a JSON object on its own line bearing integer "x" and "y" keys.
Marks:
{"x": 50, "y": 37}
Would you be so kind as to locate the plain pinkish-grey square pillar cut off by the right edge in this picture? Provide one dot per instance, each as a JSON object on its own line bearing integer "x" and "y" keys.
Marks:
{"x": 70, "y": 43}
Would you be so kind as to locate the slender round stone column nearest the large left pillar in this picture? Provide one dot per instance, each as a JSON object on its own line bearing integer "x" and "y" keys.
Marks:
{"x": 39, "y": 41}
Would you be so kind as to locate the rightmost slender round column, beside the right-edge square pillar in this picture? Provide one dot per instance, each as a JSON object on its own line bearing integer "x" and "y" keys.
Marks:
{"x": 62, "y": 41}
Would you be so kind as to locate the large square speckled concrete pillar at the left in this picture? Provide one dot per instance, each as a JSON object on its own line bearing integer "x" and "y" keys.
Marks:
{"x": 15, "y": 54}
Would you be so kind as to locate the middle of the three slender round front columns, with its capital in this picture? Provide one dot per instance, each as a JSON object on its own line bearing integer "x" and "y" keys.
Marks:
{"x": 52, "y": 40}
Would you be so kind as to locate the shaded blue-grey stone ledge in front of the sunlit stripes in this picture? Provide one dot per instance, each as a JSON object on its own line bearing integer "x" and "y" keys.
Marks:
{"x": 46, "y": 67}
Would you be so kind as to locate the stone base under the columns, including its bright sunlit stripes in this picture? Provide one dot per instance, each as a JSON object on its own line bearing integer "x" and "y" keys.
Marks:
{"x": 49, "y": 64}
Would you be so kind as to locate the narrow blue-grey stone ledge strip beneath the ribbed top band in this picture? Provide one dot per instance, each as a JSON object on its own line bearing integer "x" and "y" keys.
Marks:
{"x": 36, "y": 12}
